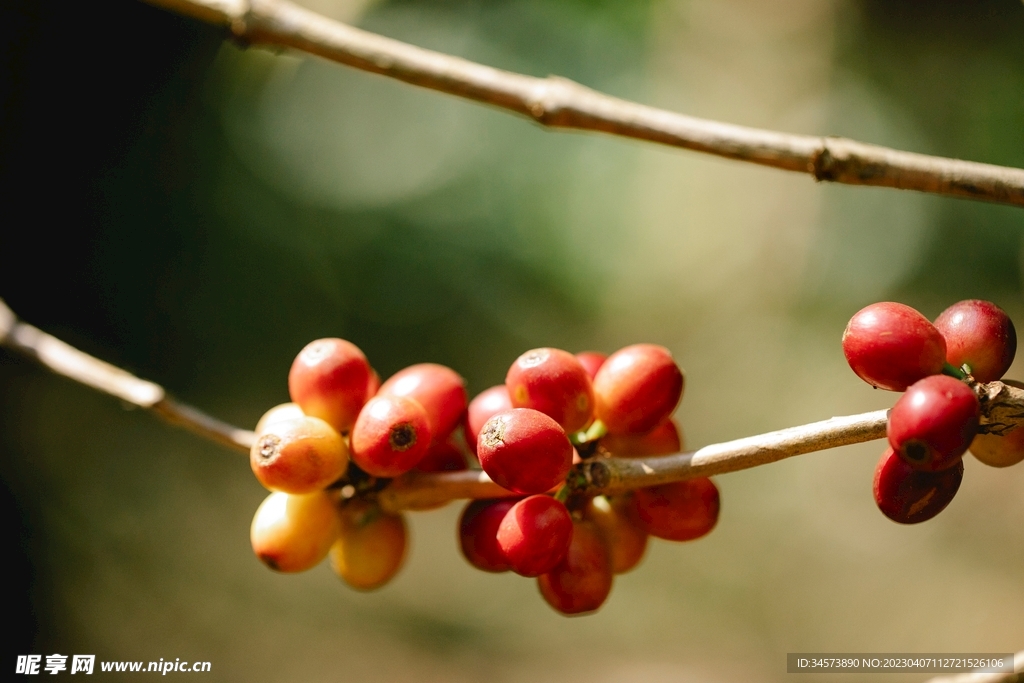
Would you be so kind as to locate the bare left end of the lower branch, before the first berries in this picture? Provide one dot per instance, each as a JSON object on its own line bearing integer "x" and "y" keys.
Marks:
{"x": 73, "y": 364}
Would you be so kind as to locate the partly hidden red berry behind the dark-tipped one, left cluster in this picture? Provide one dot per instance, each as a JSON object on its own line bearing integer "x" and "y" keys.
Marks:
{"x": 440, "y": 390}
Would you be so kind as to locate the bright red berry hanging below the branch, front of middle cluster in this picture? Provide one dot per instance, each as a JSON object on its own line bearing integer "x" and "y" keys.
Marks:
{"x": 535, "y": 535}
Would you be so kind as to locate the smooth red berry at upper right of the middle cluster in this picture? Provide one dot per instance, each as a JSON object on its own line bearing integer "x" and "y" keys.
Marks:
{"x": 637, "y": 389}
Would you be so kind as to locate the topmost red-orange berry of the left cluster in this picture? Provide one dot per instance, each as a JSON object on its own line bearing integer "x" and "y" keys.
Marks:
{"x": 329, "y": 381}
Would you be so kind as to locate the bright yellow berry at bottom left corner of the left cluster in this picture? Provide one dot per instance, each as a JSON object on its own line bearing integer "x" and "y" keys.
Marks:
{"x": 294, "y": 533}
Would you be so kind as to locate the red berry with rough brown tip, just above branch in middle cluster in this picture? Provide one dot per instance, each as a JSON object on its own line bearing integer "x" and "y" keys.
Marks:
{"x": 525, "y": 451}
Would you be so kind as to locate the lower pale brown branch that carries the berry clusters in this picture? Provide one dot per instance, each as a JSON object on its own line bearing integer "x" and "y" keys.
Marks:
{"x": 1003, "y": 410}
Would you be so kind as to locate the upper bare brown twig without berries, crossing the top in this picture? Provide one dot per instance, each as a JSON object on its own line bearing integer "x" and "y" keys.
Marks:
{"x": 560, "y": 103}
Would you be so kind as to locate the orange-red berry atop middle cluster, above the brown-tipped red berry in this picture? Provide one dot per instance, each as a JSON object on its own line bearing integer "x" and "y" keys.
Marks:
{"x": 553, "y": 382}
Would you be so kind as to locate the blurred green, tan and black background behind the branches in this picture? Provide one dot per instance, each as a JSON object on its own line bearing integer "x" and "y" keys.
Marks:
{"x": 197, "y": 214}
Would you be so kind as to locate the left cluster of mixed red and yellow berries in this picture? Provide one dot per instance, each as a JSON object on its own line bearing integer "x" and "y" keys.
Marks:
{"x": 340, "y": 439}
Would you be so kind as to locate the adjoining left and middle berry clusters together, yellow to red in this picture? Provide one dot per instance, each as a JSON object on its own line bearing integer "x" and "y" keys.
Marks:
{"x": 346, "y": 435}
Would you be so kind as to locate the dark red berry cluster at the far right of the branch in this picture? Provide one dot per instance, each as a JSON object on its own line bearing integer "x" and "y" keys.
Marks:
{"x": 940, "y": 368}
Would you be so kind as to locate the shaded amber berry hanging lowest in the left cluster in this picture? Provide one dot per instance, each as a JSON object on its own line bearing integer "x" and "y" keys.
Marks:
{"x": 371, "y": 546}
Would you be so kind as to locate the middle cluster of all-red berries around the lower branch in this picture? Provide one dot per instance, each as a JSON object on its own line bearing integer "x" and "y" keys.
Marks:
{"x": 557, "y": 409}
